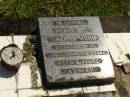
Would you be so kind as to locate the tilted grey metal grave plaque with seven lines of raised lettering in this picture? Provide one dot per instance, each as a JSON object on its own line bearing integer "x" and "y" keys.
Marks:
{"x": 74, "y": 50}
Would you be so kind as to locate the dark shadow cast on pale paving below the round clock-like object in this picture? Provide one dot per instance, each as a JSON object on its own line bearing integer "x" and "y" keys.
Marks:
{"x": 4, "y": 73}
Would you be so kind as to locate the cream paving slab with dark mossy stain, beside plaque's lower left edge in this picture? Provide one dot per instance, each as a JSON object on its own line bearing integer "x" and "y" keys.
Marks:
{"x": 27, "y": 78}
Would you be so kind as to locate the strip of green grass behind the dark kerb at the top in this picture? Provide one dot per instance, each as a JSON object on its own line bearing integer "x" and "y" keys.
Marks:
{"x": 35, "y": 8}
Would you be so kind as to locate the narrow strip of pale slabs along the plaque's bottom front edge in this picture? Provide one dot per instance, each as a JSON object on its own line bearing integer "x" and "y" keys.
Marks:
{"x": 82, "y": 90}
